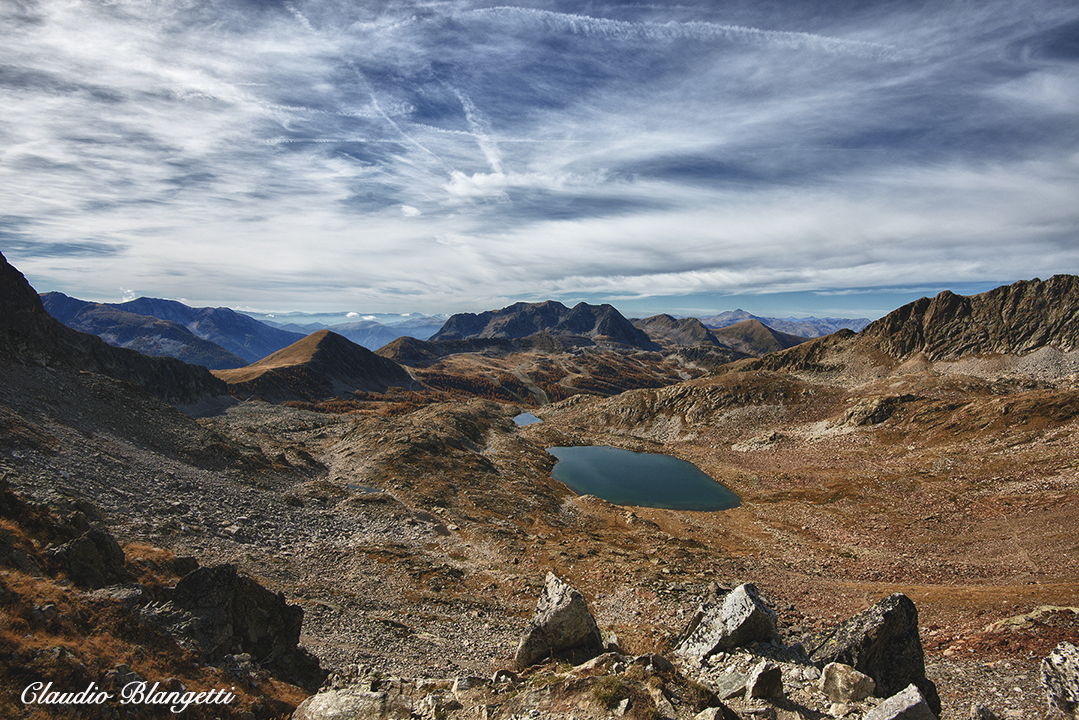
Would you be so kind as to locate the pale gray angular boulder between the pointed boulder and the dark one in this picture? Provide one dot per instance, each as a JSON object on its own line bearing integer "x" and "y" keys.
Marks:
{"x": 743, "y": 618}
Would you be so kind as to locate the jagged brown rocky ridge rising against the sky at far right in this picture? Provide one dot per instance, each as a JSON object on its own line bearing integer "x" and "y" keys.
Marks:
{"x": 1014, "y": 319}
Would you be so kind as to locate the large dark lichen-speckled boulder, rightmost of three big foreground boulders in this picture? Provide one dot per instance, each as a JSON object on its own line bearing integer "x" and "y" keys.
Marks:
{"x": 883, "y": 643}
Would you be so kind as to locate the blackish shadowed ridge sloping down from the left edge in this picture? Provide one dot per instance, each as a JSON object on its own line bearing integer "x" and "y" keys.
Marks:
{"x": 32, "y": 336}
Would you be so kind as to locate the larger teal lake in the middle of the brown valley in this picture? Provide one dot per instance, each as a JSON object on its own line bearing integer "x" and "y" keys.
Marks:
{"x": 646, "y": 480}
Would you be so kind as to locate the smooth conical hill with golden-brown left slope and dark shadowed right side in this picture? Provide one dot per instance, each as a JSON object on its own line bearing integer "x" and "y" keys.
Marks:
{"x": 321, "y": 366}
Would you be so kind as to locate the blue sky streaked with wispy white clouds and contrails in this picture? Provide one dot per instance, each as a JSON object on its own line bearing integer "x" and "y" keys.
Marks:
{"x": 790, "y": 158}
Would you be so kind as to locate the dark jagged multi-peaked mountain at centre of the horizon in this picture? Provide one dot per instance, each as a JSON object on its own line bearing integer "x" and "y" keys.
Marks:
{"x": 600, "y": 323}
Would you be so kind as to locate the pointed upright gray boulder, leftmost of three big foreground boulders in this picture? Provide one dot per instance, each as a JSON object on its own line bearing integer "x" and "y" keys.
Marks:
{"x": 561, "y": 622}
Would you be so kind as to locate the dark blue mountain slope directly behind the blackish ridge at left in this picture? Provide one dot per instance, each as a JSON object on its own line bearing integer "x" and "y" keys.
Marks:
{"x": 146, "y": 334}
